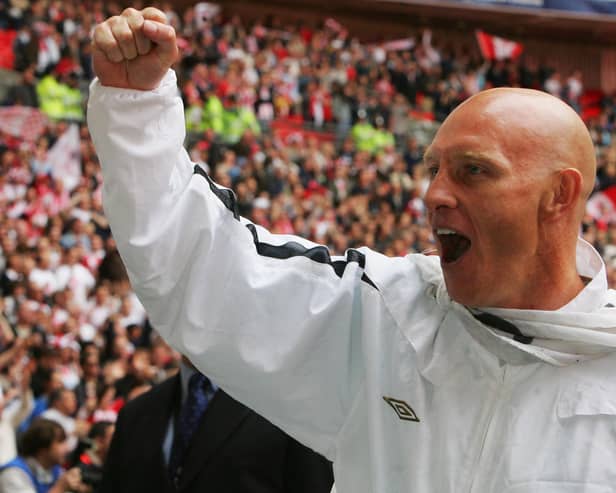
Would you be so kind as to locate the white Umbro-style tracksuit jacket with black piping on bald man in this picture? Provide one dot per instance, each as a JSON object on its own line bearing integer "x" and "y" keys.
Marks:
{"x": 363, "y": 357}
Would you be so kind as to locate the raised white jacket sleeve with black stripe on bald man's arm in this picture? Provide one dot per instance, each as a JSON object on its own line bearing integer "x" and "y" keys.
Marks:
{"x": 272, "y": 319}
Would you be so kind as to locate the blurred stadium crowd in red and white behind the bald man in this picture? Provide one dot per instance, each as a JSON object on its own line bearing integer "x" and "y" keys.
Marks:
{"x": 75, "y": 343}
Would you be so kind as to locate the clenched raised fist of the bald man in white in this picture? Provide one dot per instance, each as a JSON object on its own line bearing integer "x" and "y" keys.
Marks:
{"x": 134, "y": 50}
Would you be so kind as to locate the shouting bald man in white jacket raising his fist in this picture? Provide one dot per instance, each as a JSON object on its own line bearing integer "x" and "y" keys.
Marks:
{"x": 488, "y": 369}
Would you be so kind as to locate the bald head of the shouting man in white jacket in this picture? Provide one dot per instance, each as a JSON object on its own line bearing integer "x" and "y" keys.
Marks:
{"x": 511, "y": 170}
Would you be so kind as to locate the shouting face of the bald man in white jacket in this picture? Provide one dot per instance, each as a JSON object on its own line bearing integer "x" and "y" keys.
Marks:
{"x": 483, "y": 205}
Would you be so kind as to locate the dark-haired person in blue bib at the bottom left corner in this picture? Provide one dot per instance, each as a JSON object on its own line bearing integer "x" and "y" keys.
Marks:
{"x": 37, "y": 468}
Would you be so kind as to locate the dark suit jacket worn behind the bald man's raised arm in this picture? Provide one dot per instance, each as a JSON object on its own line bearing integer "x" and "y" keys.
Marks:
{"x": 234, "y": 451}
